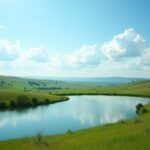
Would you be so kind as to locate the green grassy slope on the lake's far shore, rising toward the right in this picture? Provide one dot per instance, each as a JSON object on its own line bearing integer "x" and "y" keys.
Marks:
{"x": 141, "y": 88}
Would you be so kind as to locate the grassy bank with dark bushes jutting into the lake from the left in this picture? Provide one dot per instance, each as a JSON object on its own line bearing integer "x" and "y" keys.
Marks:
{"x": 12, "y": 99}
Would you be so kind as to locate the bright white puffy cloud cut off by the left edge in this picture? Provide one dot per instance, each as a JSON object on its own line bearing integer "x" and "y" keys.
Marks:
{"x": 8, "y": 51}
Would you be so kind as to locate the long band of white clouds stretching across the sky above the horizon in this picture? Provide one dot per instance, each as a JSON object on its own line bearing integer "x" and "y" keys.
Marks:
{"x": 94, "y": 60}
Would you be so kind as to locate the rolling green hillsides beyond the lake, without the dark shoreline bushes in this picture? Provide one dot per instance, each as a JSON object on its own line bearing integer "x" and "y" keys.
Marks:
{"x": 11, "y": 87}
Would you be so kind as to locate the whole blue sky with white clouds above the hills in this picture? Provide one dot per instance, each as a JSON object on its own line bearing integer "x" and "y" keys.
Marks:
{"x": 75, "y": 38}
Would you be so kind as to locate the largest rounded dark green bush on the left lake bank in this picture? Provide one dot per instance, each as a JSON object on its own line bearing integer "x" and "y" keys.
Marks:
{"x": 23, "y": 101}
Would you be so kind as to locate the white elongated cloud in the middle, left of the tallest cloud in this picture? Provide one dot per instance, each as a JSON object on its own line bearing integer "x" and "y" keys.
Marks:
{"x": 86, "y": 56}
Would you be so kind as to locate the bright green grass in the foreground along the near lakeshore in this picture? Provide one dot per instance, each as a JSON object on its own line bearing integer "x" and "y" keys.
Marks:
{"x": 131, "y": 134}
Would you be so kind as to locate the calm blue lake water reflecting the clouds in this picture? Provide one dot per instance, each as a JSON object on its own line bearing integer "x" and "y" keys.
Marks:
{"x": 77, "y": 113}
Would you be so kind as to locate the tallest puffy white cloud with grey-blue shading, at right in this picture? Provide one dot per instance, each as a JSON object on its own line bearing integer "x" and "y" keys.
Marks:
{"x": 124, "y": 45}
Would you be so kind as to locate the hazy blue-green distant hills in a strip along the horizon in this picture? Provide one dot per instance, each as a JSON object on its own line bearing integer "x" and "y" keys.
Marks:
{"x": 51, "y": 82}
